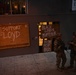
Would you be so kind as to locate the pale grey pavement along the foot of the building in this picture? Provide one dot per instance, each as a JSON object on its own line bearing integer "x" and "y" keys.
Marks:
{"x": 32, "y": 64}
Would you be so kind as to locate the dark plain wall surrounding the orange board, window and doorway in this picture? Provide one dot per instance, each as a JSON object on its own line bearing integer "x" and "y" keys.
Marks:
{"x": 42, "y": 10}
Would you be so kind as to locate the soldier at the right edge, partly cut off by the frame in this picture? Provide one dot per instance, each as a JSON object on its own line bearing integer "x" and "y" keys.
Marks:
{"x": 72, "y": 47}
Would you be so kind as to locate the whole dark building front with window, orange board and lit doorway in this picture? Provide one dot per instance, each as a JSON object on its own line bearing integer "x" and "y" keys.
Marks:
{"x": 25, "y": 25}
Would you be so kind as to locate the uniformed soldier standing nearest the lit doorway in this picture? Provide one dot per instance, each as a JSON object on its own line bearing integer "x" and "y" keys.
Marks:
{"x": 60, "y": 54}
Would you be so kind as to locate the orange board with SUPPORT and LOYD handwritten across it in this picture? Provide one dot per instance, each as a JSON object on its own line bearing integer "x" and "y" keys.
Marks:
{"x": 14, "y": 35}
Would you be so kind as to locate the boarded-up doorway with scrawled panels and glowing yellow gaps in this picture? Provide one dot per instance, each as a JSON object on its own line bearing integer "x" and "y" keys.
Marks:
{"x": 47, "y": 32}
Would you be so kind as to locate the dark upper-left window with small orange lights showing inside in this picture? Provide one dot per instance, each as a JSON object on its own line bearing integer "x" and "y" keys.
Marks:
{"x": 13, "y": 7}
